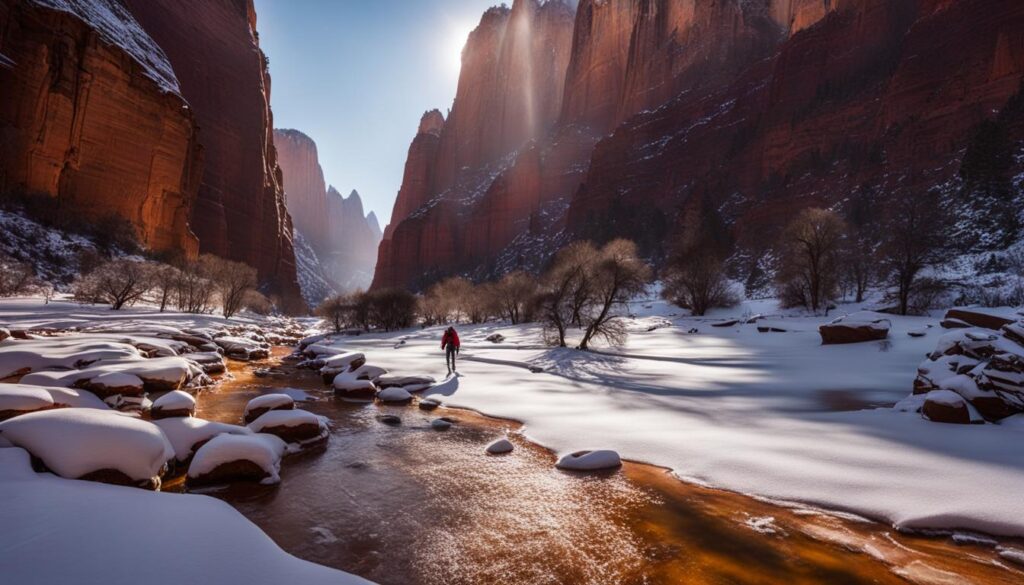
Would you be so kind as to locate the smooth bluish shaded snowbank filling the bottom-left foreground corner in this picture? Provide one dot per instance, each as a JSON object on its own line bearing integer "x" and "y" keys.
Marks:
{"x": 58, "y": 531}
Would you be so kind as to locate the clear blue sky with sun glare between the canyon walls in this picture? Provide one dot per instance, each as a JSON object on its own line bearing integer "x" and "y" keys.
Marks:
{"x": 357, "y": 75}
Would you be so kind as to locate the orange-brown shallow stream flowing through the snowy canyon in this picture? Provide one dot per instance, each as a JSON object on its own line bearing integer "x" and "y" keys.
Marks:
{"x": 410, "y": 505}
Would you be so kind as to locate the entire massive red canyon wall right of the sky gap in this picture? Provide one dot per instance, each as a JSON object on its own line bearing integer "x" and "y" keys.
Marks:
{"x": 763, "y": 107}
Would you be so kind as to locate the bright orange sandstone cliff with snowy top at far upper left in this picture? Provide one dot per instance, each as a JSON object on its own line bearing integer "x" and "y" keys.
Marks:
{"x": 91, "y": 115}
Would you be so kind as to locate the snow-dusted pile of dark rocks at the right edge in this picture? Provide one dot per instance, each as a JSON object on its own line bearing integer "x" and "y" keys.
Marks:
{"x": 976, "y": 372}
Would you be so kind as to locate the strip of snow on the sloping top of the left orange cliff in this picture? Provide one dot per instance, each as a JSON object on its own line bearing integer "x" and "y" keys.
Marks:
{"x": 118, "y": 28}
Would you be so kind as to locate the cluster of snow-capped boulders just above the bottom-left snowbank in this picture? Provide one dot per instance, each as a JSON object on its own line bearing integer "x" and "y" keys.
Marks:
{"x": 89, "y": 441}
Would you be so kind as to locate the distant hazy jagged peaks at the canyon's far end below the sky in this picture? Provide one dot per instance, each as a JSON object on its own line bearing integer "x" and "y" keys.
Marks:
{"x": 344, "y": 240}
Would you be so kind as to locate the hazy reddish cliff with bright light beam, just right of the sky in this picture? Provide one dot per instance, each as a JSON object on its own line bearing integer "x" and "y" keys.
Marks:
{"x": 449, "y": 213}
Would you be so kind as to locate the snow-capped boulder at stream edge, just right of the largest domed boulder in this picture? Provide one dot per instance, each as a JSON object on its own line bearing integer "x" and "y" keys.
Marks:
{"x": 228, "y": 458}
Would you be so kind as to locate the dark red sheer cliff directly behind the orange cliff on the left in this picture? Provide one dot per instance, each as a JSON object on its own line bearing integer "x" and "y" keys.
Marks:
{"x": 240, "y": 214}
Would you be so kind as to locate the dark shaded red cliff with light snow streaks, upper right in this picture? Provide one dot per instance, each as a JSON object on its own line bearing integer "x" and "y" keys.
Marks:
{"x": 877, "y": 96}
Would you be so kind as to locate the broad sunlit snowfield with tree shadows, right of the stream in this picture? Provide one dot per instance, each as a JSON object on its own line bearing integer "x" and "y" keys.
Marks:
{"x": 775, "y": 415}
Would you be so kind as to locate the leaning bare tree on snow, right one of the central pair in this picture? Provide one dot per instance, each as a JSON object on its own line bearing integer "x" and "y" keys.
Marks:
{"x": 618, "y": 276}
